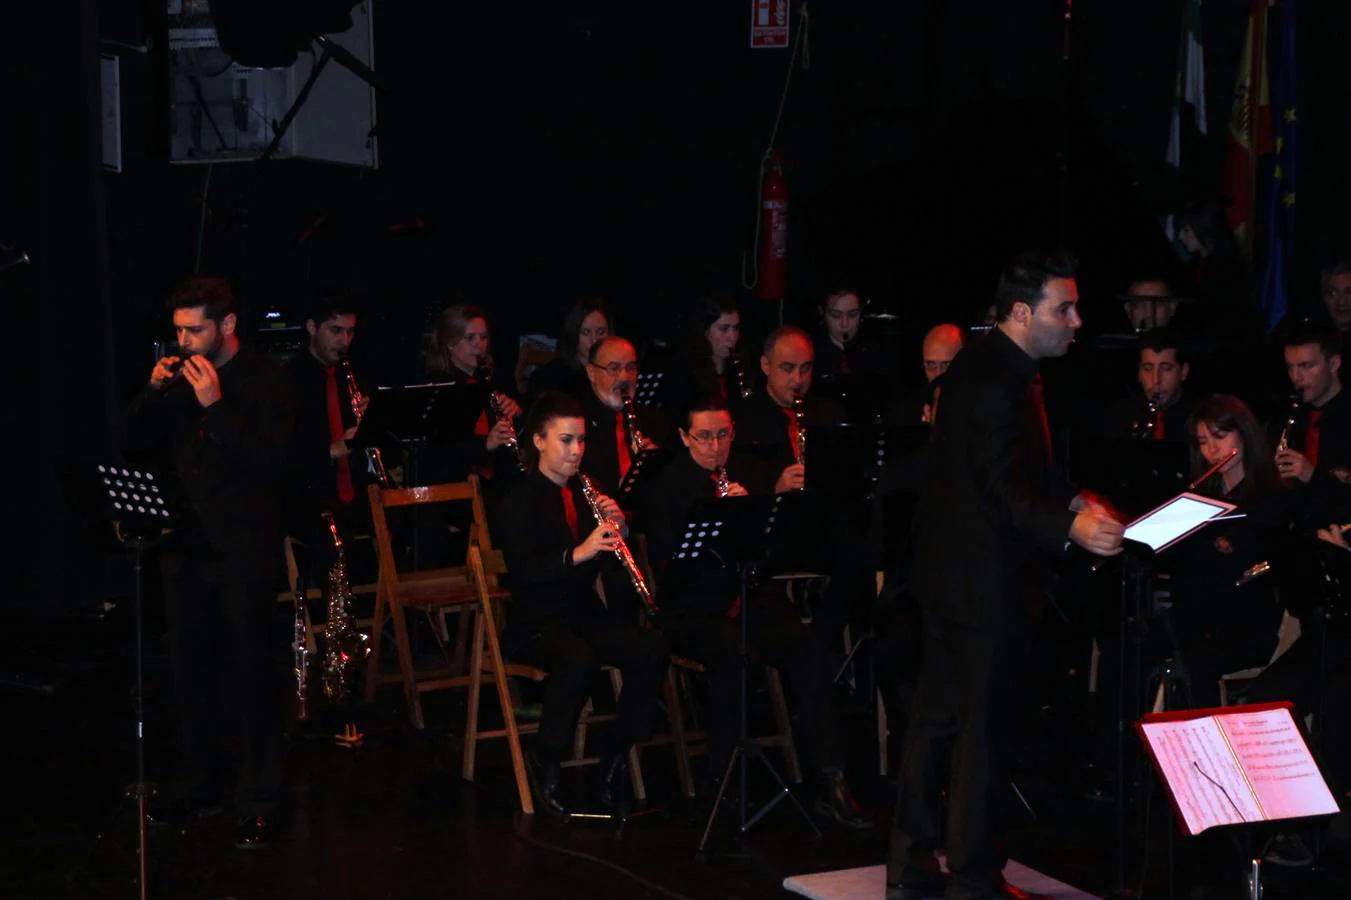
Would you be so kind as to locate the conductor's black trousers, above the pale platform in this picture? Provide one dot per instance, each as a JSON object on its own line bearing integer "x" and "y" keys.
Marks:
{"x": 961, "y": 698}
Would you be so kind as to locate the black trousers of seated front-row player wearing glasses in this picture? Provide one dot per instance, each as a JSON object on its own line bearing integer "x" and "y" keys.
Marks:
{"x": 779, "y": 639}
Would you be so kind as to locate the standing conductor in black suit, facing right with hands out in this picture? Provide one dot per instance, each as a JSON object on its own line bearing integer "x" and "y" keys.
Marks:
{"x": 991, "y": 520}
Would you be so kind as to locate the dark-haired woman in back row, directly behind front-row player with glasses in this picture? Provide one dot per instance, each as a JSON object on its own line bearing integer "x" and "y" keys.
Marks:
{"x": 710, "y": 360}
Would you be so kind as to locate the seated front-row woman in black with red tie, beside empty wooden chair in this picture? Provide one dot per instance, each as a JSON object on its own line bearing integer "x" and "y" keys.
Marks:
{"x": 555, "y": 552}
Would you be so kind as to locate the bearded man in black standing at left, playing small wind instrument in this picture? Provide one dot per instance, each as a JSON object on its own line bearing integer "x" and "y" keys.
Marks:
{"x": 222, "y": 424}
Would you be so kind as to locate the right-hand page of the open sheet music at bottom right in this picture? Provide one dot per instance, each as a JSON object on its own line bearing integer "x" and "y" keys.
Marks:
{"x": 1279, "y": 764}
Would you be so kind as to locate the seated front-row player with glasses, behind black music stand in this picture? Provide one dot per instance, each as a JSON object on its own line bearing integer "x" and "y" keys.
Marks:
{"x": 702, "y": 609}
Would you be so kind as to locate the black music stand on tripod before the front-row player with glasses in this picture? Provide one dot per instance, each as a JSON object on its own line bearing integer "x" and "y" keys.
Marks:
{"x": 738, "y": 532}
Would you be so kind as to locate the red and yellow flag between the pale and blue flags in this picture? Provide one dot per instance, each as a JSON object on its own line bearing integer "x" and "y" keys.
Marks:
{"x": 1250, "y": 128}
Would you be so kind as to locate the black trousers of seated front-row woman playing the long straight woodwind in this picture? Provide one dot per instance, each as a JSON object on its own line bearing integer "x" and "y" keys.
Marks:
{"x": 573, "y": 653}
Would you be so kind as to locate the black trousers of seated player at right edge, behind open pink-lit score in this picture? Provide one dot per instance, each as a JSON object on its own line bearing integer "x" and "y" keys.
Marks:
{"x": 1296, "y": 678}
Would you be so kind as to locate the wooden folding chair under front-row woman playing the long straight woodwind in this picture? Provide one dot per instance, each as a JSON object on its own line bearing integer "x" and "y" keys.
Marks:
{"x": 488, "y": 666}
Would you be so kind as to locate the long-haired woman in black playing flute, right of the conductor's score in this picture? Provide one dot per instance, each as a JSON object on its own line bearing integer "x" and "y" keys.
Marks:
{"x": 1221, "y": 626}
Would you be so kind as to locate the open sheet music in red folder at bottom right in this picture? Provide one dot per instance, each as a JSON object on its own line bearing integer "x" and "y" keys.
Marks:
{"x": 1235, "y": 766}
